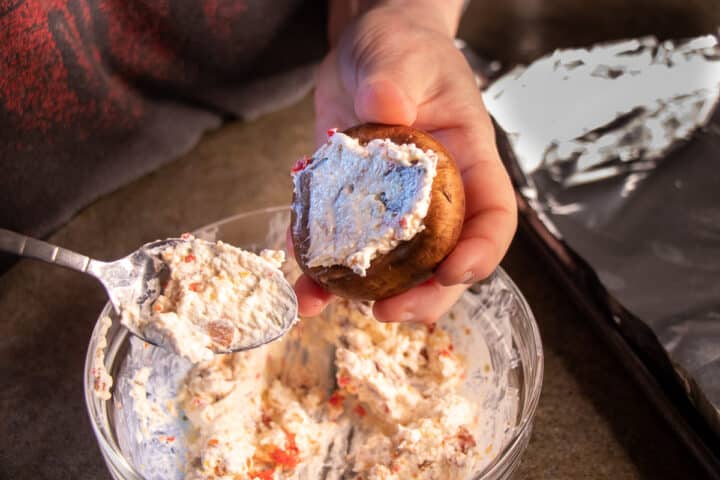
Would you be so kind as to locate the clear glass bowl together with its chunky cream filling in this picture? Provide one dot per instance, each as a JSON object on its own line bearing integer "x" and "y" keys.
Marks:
{"x": 341, "y": 394}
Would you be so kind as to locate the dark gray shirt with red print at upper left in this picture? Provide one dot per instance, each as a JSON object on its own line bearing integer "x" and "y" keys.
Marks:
{"x": 48, "y": 174}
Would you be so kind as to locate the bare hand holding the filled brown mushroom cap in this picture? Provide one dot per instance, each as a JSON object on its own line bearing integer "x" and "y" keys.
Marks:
{"x": 389, "y": 67}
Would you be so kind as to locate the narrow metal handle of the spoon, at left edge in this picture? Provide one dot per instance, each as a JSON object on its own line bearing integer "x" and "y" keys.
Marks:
{"x": 12, "y": 242}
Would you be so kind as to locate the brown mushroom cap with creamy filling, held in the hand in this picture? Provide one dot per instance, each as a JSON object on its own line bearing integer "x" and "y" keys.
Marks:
{"x": 375, "y": 210}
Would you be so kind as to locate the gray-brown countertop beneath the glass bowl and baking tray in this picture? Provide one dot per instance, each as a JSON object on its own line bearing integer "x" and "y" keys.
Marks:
{"x": 592, "y": 421}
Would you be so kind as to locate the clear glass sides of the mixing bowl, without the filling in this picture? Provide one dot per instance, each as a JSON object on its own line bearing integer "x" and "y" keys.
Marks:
{"x": 518, "y": 358}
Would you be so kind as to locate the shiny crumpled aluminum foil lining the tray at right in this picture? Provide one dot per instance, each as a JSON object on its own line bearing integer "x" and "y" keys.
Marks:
{"x": 618, "y": 150}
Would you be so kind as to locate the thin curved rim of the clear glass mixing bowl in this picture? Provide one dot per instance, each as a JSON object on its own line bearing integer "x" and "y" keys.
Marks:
{"x": 506, "y": 459}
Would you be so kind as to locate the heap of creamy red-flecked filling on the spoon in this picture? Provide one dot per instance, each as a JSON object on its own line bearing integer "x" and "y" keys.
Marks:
{"x": 218, "y": 298}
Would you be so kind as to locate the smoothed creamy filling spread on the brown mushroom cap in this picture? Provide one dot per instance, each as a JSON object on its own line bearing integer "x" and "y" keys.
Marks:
{"x": 364, "y": 200}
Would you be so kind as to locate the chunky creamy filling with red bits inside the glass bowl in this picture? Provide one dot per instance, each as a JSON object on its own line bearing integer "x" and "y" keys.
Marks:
{"x": 262, "y": 415}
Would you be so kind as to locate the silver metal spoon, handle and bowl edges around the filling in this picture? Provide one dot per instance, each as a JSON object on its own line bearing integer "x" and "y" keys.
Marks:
{"x": 135, "y": 279}
